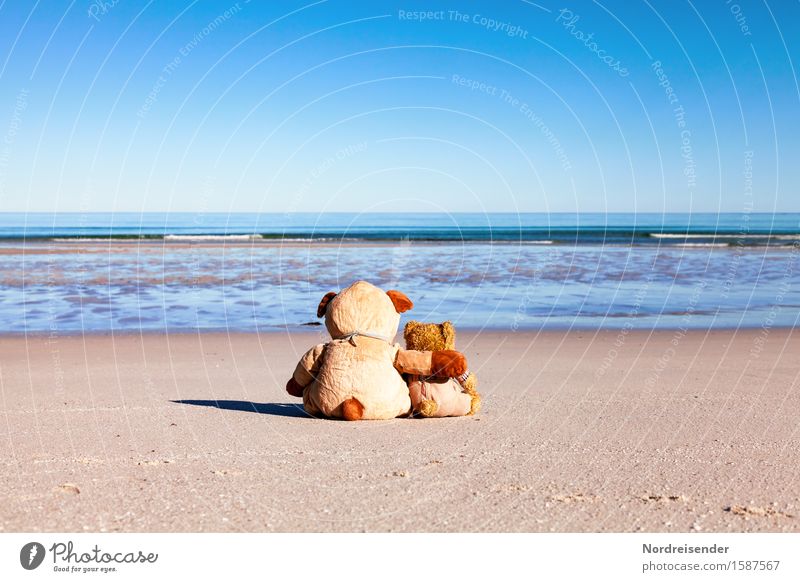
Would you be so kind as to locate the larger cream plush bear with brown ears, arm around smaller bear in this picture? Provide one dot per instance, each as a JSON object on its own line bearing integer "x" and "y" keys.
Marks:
{"x": 358, "y": 373}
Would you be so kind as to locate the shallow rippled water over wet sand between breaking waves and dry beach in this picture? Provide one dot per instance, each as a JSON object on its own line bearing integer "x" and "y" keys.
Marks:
{"x": 252, "y": 287}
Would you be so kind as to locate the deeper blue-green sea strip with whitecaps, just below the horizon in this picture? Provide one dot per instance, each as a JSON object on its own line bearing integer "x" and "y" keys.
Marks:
{"x": 559, "y": 228}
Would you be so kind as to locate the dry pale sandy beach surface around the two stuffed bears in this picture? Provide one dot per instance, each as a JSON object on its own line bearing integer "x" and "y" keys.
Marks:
{"x": 580, "y": 431}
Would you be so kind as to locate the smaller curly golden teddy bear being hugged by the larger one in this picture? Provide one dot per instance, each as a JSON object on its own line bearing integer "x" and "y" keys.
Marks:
{"x": 439, "y": 395}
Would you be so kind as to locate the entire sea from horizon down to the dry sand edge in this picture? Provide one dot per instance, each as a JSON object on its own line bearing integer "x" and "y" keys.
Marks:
{"x": 71, "y": 273}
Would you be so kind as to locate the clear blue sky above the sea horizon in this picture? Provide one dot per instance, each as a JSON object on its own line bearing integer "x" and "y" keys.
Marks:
{"x": 370, "y": 106}
